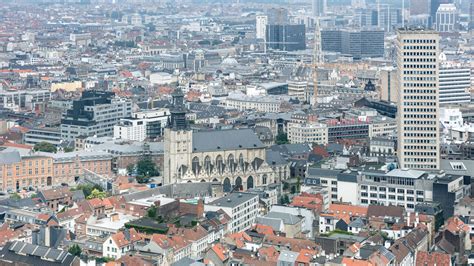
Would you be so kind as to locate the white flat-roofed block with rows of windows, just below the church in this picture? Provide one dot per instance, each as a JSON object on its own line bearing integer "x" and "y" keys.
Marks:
{"x": 241, "y": 207}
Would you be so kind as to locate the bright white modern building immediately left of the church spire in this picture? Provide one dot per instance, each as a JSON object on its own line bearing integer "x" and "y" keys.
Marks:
{"x": 149, "y": 124}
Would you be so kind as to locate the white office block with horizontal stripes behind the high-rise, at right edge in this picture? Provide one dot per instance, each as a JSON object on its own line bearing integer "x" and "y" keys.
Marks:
{"x": 454, "y": 85}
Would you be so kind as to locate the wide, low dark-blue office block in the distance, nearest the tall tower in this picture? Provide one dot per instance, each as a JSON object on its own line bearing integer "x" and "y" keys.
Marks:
{"x": 356, "y": 43}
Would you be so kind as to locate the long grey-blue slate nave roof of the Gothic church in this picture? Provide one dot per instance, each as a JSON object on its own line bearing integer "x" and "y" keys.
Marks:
{"x": 221, "y": 140}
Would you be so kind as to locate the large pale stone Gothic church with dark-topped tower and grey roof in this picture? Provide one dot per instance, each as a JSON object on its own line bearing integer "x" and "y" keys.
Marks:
{"x": 236, "y": 158}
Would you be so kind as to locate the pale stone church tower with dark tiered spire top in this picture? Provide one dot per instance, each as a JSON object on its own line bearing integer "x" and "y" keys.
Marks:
{"x": 178, "y": 138}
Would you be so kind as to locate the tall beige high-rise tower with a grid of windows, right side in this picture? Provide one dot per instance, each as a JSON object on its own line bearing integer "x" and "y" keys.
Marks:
{"x": 418, "y": 104}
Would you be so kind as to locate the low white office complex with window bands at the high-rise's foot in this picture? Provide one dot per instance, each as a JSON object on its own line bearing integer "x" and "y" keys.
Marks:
{"x": 405, "y": 188}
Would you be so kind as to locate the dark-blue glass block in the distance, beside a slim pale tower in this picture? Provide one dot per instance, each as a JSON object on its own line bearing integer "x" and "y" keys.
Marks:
{"x": 286, "y": 37}
